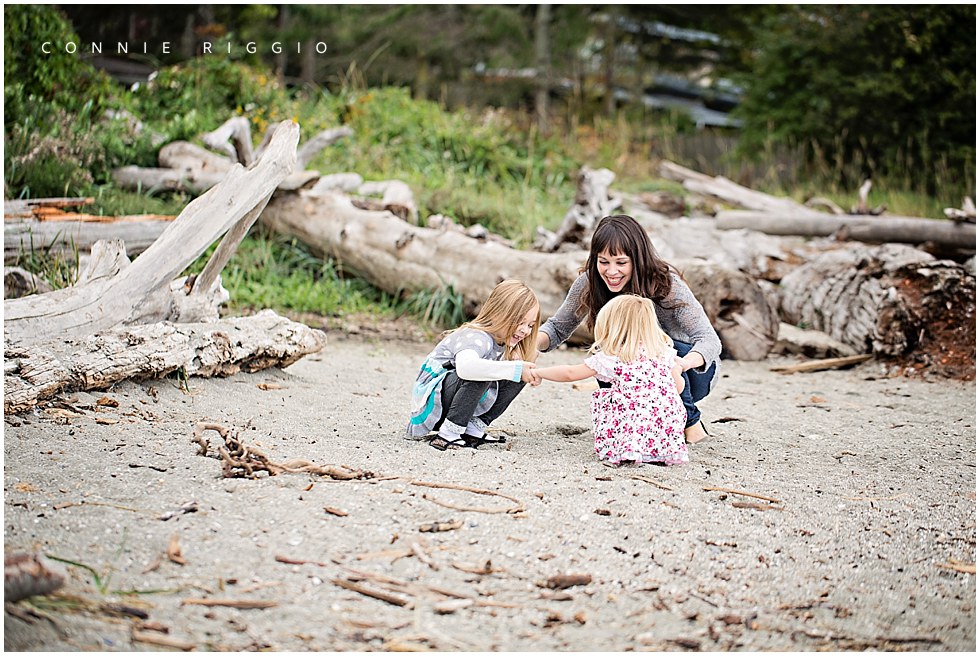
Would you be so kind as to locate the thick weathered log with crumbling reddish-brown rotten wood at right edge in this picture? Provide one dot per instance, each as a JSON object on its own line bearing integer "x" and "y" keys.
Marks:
{"x": 888, "y": 300}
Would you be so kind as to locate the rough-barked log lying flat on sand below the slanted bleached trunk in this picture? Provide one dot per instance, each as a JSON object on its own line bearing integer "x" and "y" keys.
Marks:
{"x": 215, "y": 348}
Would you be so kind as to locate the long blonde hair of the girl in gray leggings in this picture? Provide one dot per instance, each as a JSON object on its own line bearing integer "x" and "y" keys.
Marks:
{"x": 501, "y": 314}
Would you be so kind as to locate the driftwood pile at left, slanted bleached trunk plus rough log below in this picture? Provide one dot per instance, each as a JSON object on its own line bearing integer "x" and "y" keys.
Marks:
{"x": 137, "y": 320}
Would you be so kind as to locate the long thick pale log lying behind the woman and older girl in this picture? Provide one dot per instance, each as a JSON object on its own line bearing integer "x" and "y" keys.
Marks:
{"x": 402, "y": 258}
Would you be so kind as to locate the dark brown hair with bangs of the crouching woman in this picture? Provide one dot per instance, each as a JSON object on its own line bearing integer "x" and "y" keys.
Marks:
{"x": 620, "y": 234}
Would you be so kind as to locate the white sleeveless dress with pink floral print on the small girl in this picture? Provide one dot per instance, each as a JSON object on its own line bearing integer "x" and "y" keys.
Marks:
{"x": 641, "y": 417}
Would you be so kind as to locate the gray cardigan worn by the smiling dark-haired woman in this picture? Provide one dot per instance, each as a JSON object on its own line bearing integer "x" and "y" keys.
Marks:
{"x": 686, "y": 322}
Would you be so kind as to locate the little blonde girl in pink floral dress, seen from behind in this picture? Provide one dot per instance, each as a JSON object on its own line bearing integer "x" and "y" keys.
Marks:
{"x": 641, "y": 417}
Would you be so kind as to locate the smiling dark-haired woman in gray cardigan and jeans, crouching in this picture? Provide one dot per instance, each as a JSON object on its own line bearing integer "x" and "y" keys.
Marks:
{"x": 622, "y": 260}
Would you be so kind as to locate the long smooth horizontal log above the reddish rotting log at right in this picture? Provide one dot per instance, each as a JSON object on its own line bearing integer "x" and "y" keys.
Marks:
{"x": 880, "y": 229}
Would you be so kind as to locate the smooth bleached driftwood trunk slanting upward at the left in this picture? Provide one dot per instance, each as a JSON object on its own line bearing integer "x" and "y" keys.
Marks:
{"x": 140, "y": 292}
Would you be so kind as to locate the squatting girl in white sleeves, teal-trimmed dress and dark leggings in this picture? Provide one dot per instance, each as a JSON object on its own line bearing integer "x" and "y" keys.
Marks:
{"x": 475, "y": 371}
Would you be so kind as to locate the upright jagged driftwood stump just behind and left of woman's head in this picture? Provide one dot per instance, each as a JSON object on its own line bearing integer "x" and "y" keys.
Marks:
{"x": 592, "y": 202}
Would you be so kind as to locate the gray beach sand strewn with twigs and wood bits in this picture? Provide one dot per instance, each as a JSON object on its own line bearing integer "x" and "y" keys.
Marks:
{"x": 827, "y": 511}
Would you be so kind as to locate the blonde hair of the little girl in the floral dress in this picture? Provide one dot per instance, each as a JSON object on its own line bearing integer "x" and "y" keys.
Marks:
{"x": 627, "y": 323}
